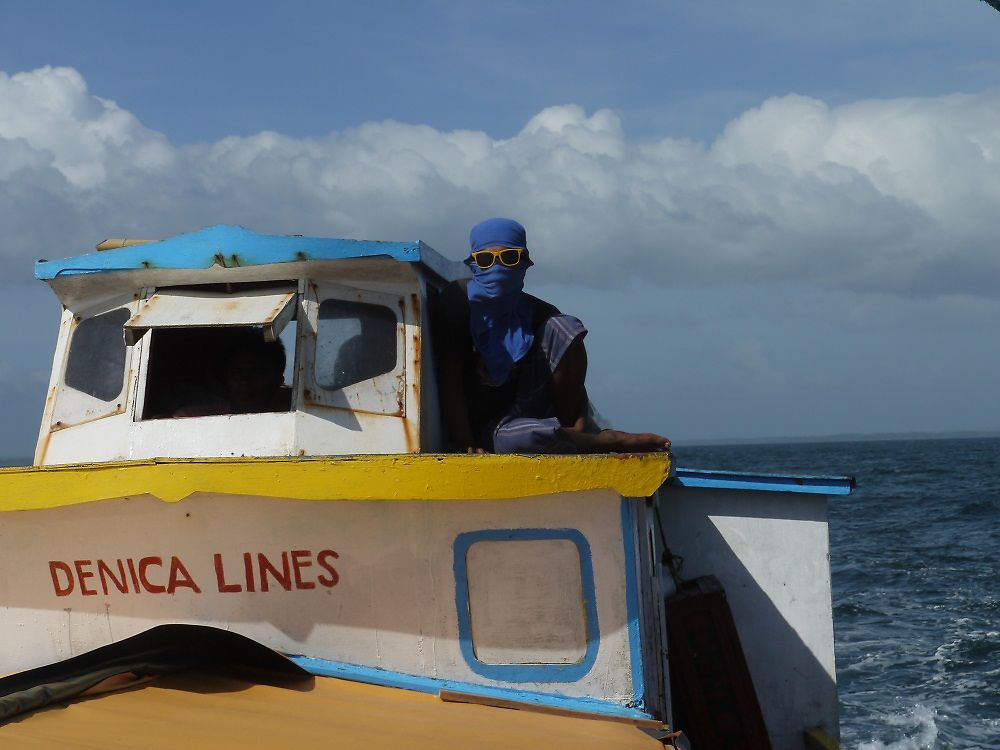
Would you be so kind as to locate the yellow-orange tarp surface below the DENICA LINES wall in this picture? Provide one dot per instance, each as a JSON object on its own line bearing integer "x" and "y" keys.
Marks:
{"x": 193, "y": 711}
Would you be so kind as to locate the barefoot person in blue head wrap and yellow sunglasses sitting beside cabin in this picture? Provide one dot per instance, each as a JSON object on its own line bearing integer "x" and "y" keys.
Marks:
{"x": 512, "y": 366}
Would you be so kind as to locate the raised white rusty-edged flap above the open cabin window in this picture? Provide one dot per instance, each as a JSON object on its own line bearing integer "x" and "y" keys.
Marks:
{"x": 187, "y": 308}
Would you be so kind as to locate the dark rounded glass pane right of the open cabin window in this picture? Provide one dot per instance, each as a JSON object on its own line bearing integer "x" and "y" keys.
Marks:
{"x": 355, "y": 341}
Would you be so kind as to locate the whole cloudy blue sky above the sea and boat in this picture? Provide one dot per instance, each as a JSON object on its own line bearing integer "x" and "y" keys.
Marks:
{"x": 775, "y": 218}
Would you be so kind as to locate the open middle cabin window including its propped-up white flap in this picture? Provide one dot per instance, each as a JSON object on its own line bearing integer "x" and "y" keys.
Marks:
{"x": 213, "y": 351}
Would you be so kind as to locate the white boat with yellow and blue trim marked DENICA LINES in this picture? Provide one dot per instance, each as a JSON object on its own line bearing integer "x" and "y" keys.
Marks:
{"x": 328, "y": 526}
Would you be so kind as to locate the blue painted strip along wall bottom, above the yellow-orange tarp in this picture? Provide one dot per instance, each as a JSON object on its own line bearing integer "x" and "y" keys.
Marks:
{"x": 385, "y": 678}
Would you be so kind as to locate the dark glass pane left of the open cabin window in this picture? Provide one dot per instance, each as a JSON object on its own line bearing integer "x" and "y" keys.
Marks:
{"x": 96, "y": 362}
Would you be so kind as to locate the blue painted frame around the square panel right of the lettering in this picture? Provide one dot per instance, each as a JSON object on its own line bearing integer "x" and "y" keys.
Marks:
{"x": 526, "y": 672}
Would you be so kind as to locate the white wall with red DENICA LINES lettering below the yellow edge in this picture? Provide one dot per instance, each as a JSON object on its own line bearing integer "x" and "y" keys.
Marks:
{"x": 395, "y": 605}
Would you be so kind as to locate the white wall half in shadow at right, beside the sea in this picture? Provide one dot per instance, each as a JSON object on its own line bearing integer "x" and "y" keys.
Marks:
{"x": 770, "y": 551}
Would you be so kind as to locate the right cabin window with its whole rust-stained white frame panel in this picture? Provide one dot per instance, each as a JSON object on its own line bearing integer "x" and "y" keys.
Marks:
{"x": 357, "y": 360}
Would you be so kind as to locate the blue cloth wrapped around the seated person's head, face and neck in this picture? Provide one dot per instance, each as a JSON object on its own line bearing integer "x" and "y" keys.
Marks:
{"x": 501, "y": 314}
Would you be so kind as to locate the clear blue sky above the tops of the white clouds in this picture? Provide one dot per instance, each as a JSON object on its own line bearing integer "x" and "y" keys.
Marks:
{"x": 200, "y": 71}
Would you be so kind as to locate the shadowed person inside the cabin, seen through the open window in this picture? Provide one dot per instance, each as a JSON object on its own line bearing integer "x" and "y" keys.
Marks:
{"x": 252, "y": 378}
